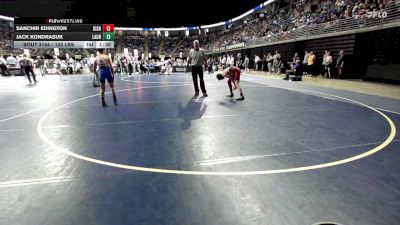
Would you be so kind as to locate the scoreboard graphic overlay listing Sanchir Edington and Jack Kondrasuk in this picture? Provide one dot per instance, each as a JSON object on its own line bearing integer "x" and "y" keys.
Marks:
{"x": 62, "y": 33}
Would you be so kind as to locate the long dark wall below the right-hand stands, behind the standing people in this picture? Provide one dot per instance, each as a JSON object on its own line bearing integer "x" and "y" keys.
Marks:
{"x": 371, "y": 56}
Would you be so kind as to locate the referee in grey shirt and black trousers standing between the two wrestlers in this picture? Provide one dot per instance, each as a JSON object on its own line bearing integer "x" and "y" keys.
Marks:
{"x": 197, "y": 58}
